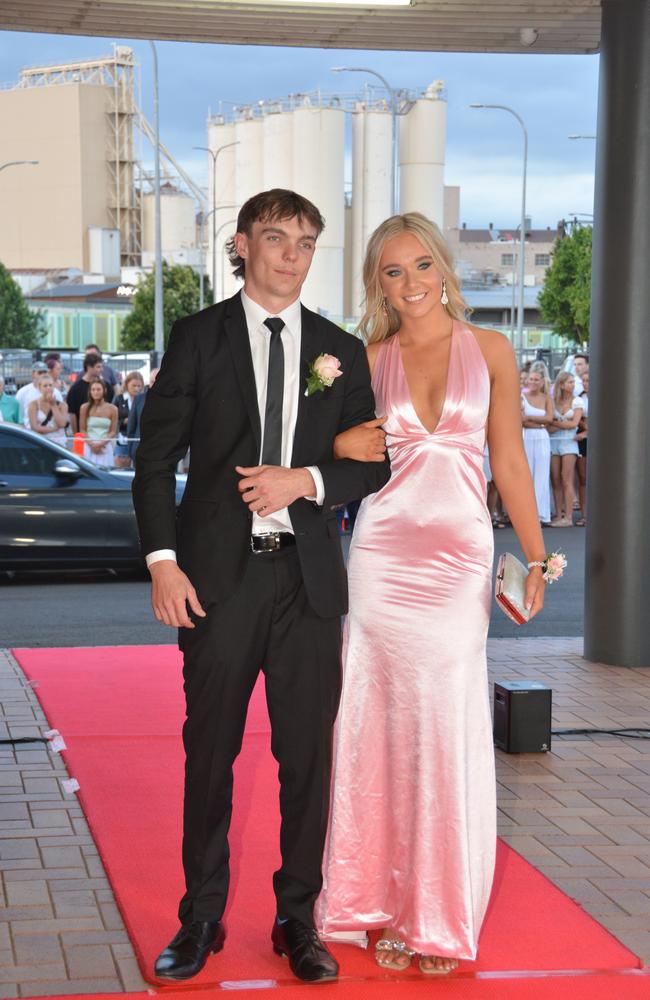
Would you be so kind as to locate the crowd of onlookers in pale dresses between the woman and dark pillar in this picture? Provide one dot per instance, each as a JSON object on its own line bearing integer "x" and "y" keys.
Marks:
{"x": 554, "y": 418}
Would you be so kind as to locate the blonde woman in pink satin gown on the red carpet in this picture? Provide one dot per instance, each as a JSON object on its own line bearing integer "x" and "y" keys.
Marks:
{"x": 412, "y": 835}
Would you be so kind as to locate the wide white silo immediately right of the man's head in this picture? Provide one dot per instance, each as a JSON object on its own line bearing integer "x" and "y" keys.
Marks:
{"x": 318, "y": 174}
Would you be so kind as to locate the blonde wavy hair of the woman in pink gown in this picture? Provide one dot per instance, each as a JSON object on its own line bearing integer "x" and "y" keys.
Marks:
{"x": 380, "y": 320}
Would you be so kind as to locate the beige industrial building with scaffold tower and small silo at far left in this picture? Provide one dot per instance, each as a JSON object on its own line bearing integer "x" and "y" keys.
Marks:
{"x": 85, "y": 202}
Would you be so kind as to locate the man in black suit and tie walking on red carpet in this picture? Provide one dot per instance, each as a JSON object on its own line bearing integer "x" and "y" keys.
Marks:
{"x": 260, "y": 582}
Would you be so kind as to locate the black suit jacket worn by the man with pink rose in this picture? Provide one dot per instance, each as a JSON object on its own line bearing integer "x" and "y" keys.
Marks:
{"x": 205, "y": 397}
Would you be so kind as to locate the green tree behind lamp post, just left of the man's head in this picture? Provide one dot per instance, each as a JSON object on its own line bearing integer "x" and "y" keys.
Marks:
{"x": 181, "y": 297}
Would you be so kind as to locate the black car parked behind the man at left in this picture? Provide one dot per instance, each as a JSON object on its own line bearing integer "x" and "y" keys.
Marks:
{"x": 59, "y": 511}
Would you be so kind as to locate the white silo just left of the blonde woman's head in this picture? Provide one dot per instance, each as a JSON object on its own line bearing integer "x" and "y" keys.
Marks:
{"x": 371, "y": 186}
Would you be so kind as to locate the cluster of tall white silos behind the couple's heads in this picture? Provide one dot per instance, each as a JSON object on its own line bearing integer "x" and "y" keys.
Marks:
{"x": 299, "y": 142}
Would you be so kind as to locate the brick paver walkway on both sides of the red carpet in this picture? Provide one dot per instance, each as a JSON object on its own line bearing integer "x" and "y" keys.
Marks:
{"x": 580, "y": 814}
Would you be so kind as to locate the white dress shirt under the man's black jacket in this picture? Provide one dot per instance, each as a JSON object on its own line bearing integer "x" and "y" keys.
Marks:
{"x": 259, "y": 337}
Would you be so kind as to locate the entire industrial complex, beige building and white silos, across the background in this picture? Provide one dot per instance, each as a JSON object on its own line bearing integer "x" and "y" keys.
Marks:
{"x": 87, "y": 206}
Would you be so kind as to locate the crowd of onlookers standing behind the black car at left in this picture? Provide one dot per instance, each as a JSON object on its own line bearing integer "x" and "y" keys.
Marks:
{"x": 97, "y": 403}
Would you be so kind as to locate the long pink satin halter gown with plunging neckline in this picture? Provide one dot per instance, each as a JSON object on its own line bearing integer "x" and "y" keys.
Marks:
{"x": 412, "y": 836}
